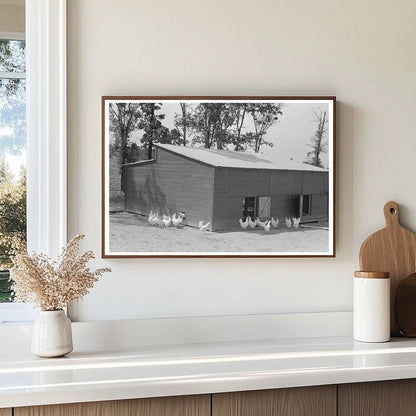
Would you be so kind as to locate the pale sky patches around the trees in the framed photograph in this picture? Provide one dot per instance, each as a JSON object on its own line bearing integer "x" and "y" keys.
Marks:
{"x": 290, "y": 136}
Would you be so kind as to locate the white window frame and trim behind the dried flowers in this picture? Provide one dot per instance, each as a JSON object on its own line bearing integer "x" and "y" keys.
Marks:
{"x": 46, "y": 137}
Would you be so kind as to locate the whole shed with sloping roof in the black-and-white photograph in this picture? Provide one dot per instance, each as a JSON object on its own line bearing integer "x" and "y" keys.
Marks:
{"x": 223, "y": 186}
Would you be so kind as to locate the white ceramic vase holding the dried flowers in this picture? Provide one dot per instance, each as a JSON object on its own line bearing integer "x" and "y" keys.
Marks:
{"x": 52, "y": 334}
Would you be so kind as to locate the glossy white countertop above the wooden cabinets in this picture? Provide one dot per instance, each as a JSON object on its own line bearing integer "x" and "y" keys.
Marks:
{"x": 151, "y": 371}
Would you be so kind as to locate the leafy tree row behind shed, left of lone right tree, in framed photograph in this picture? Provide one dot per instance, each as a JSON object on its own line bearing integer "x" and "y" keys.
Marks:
{"x": 209, "y": 125}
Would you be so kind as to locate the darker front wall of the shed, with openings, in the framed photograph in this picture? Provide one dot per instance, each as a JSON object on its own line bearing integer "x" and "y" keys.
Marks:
{"x": 284, "y": 188}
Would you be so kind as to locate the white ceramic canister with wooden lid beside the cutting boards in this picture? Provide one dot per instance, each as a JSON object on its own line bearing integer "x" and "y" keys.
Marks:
{"x": 371, "y": 307}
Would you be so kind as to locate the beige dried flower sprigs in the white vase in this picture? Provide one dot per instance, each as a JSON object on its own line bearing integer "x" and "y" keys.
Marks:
{"x": 53, "y": 285}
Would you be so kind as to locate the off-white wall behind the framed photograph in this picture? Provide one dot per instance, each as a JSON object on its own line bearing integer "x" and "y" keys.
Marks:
{"x": 361, "y": 51}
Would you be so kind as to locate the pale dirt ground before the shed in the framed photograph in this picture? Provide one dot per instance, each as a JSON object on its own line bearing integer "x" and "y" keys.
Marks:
{"x": 132, "y": 233}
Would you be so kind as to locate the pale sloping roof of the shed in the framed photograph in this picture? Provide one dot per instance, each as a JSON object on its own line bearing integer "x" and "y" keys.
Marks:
{"x": 230, "y": 159}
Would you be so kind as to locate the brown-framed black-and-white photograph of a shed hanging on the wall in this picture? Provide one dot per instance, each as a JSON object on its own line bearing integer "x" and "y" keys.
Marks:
{"x": 218, "y": 176}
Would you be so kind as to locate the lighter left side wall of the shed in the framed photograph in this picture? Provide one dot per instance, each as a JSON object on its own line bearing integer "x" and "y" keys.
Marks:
{"x": 172, "y": 184}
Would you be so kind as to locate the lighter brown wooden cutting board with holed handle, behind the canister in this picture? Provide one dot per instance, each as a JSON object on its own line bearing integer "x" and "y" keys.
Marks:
{"x": 393, "y": 250}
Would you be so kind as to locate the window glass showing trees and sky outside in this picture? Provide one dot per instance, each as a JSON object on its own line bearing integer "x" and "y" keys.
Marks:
{"x": 12, "y": 163}
